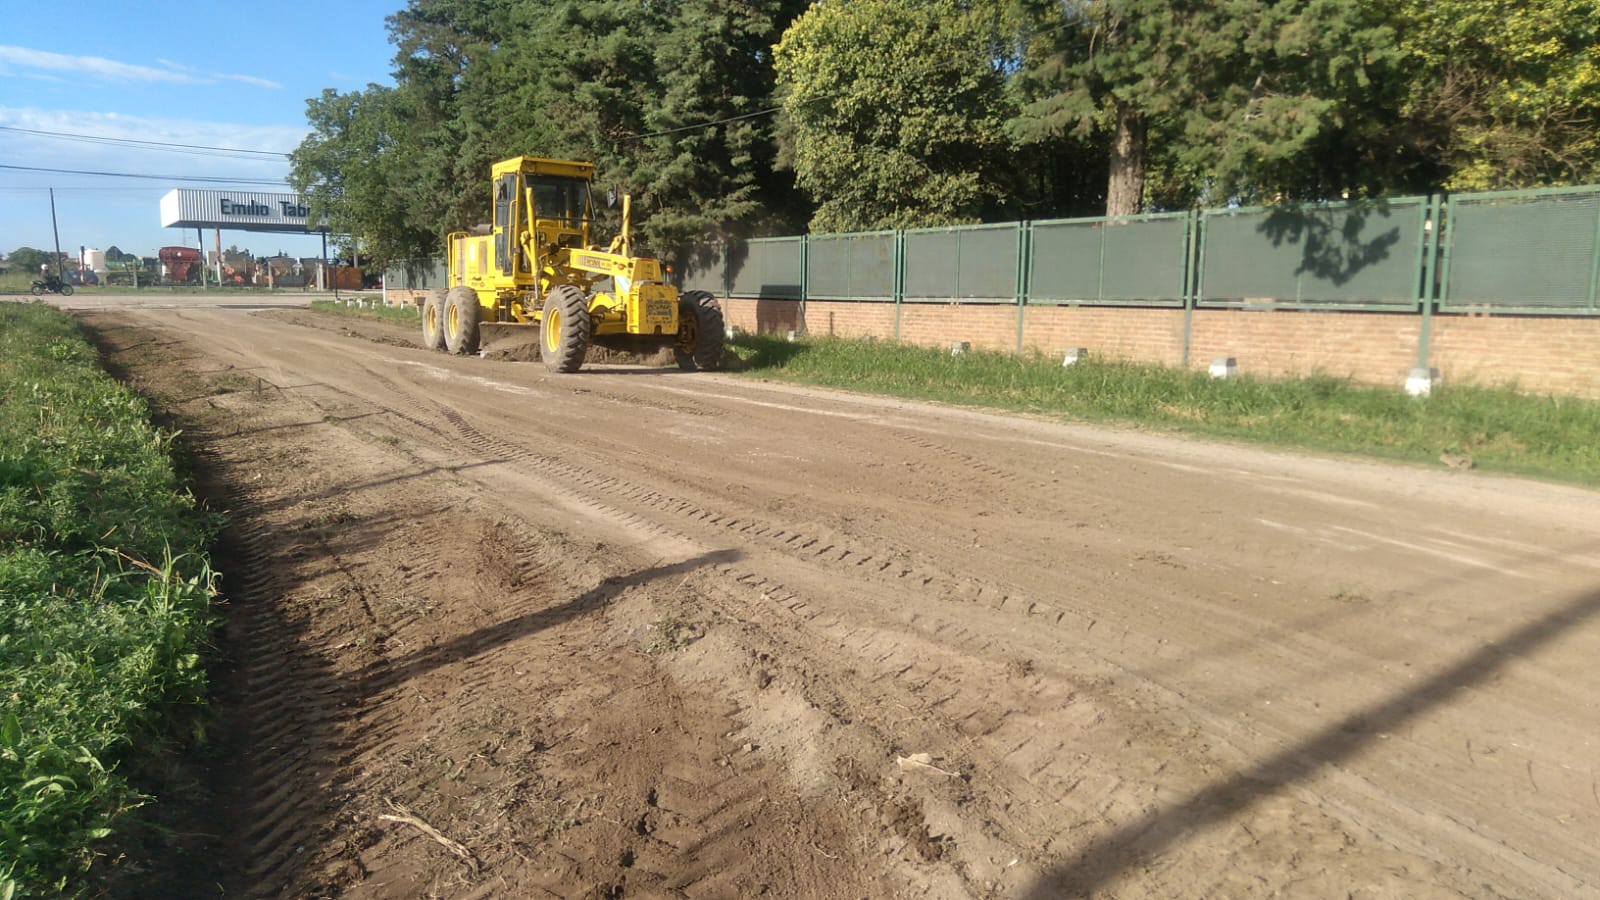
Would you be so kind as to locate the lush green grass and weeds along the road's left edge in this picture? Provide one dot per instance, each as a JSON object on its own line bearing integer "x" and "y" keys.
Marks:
{"x": 105, "y": 601}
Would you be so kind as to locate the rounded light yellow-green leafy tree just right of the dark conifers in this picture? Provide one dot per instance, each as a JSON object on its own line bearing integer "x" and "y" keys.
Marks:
{"x": 897, "y": 111}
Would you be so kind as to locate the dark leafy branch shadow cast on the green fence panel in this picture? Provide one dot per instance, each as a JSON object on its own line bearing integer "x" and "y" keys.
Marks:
{"x": 1332, "y": 241}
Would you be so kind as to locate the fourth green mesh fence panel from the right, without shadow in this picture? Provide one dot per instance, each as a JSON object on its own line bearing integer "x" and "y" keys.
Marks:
{"x": 975, "y": 263}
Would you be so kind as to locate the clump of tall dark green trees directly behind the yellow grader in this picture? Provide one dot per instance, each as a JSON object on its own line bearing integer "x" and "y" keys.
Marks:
{"x": 642, "y": 90}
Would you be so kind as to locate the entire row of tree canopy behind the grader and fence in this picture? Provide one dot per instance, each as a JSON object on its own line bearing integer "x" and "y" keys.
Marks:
{"x": 746, "y": 118}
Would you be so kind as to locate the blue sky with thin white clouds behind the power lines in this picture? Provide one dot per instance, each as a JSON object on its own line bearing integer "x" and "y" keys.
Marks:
{"x": 204, "y": 74}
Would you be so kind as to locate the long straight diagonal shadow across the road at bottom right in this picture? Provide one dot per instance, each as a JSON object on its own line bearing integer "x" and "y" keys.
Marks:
{"x": 1156, "y": 832}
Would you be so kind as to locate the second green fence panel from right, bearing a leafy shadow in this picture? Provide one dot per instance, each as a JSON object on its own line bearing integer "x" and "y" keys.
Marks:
{"x": 1342, "y": 255}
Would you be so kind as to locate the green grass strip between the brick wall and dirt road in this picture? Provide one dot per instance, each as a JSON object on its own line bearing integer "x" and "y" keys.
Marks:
{"x": 1556, "y": 438}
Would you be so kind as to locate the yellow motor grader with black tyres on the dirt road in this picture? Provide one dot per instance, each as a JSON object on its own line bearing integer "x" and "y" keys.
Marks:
{"x": 535, "y": 273}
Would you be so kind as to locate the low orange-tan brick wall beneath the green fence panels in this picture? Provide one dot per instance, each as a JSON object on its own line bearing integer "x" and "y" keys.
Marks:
{"x": 1540, "y": 355}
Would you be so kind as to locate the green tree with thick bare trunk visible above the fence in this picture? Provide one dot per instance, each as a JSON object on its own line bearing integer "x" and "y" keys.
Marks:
{"x": 1218, "y": 100}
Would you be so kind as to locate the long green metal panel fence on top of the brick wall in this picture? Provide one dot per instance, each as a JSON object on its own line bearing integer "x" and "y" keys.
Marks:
{"x": 1532, "y": 252}
